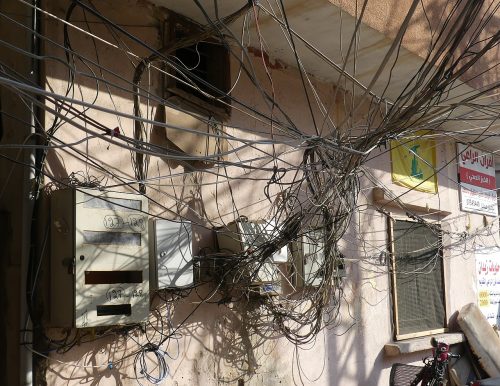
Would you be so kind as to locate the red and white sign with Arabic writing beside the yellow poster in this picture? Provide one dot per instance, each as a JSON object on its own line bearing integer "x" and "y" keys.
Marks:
{"x": 476, "y": 171}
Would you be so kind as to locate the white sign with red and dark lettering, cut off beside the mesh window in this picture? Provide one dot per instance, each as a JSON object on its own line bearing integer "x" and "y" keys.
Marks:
{"x": 488, "y": 283}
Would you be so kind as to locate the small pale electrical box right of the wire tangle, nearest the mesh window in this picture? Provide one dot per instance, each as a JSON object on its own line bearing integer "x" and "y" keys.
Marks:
{"x": 309, "y": 258}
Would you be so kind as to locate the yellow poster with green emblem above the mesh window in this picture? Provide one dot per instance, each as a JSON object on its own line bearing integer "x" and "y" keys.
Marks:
{"x": 414, "y": 163}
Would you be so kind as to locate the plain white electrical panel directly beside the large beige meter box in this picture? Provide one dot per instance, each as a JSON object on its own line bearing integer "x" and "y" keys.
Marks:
{"x": 171, "y": 254}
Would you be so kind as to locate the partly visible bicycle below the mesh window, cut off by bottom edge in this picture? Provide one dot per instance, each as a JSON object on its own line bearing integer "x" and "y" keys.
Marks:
{"x": 433, "y": 373}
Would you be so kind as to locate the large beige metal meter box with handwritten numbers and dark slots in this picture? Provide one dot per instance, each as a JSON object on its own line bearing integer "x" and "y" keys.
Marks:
{"x": 99, "y": 258}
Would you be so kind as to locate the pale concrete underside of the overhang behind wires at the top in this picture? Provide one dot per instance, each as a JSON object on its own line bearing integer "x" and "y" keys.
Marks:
{"x": 323, "y": 34}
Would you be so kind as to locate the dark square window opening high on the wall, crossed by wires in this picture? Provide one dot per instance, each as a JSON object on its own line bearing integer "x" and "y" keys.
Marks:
{"x": 202, "y": 72}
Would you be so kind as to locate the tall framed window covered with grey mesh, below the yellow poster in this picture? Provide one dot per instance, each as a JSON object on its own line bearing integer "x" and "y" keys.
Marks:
{"x": 417, "y": 278}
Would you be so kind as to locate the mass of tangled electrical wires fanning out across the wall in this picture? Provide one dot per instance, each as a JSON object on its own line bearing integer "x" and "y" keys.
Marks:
{"x": 317, "y": 193}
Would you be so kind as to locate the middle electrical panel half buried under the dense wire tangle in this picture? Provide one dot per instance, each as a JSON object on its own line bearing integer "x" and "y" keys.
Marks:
{"x": 249, "y": 236}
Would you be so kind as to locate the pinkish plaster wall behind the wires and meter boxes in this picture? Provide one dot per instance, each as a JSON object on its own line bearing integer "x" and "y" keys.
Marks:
{"x": 221, "y": 344}
